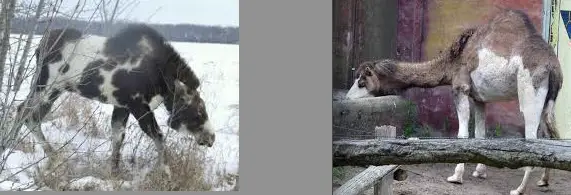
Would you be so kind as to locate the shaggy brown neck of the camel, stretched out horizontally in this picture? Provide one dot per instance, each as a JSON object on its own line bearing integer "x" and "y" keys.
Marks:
{"x": 426, "y": 74}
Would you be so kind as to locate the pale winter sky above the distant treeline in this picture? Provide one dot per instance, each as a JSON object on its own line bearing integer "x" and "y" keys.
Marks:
{"x": 204, "y": 12}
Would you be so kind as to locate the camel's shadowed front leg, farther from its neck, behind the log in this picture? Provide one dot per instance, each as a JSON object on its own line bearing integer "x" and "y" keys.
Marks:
{"x": 479, "y": 133}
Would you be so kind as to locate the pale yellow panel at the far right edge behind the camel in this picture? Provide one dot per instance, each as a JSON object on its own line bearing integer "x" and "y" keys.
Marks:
{"x": 562, "y": 107}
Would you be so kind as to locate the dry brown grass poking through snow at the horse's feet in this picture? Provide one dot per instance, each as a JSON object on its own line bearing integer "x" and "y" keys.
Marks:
{"x": 185, "y": 163}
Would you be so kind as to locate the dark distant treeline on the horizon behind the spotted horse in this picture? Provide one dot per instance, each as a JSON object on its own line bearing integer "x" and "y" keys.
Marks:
{"x": 173, "y": 32}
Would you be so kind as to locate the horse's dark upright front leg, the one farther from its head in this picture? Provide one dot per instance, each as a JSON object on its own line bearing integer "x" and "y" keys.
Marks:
{"x": 118, "y": 123}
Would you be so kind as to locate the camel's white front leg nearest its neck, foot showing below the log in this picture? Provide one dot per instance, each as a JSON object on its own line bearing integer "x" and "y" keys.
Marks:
{"x": 461, "y": 88}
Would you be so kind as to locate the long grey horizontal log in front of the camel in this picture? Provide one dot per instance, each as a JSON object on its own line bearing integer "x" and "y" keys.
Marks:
{"x": 500, "y": 153}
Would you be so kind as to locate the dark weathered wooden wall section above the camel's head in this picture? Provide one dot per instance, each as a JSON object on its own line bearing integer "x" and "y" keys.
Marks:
{"x": 362, "y": 30}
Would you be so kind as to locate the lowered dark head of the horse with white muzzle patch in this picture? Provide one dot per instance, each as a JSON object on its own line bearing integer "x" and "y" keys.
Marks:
{"x": 188, "y": 115}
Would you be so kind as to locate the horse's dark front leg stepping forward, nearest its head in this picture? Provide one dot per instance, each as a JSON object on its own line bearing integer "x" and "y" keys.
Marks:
{"x": 149, "y": 125}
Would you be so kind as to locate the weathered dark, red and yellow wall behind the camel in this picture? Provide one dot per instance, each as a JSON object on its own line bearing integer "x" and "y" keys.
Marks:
{"x": 415, "y": 30}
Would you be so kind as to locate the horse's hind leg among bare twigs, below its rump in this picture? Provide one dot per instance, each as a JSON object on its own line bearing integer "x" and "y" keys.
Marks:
{"x": 33, "y": 111}
